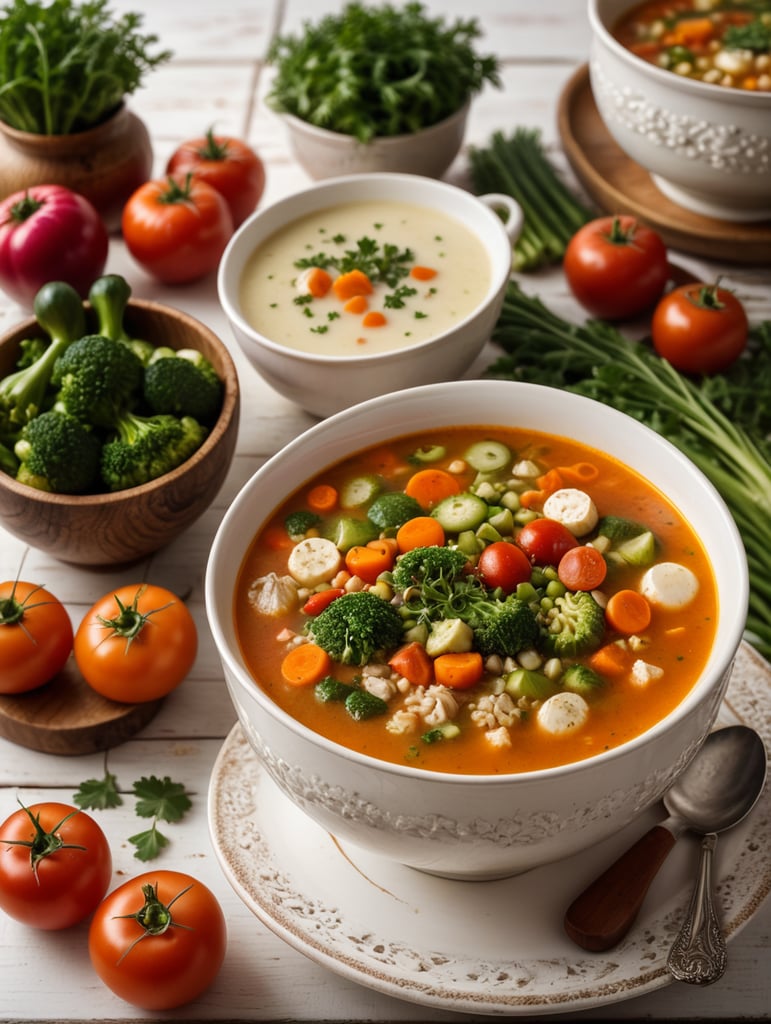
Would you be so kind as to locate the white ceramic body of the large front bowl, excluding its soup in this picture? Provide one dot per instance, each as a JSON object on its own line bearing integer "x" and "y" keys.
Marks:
{"x": 487, "y": 826}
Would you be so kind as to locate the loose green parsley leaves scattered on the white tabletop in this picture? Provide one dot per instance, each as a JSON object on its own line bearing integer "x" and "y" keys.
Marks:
{"x": 159, "y": 799}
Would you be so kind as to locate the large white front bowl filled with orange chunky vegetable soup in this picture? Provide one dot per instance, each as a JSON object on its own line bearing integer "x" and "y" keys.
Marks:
{"x": 477, "y": 782}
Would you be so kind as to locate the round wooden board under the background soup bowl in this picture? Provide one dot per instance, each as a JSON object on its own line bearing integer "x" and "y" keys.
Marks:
{"x": 618, "y": 185}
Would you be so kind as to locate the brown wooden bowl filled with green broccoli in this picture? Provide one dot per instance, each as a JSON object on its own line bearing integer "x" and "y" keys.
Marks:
{"x": 118, "y": 424}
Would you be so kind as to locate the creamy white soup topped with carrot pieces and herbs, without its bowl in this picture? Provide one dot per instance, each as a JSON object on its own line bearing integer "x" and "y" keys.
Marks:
{"x": 364, "y": 278}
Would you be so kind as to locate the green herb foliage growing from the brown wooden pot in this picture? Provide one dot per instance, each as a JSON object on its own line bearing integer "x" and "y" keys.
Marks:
{"x": 67, "y": 67}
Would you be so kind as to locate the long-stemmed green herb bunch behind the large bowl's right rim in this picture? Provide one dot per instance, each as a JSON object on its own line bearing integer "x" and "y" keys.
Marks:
{"x": 722, "y": 423}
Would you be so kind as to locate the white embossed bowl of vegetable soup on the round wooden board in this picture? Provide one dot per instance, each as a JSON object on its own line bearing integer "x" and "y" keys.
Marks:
{"x": 693, "y": 106}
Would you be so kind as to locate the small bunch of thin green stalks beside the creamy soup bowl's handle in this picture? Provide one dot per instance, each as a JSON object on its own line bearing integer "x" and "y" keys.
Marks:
{"x": 519, "y": 166}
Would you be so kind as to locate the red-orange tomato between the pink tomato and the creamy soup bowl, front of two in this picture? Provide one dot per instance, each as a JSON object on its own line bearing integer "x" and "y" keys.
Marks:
{"x": 177, "y": 229}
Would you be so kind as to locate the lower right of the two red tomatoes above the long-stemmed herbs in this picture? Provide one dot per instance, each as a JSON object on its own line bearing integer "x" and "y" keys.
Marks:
{"x": 700, "y": 329}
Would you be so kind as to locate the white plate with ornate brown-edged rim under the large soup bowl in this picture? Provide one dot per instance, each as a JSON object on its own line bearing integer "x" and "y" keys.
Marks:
{"x": 482, "y": 948}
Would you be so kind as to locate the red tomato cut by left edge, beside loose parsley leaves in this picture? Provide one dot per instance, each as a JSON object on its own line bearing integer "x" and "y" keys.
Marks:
{"x": 61, "y": 869}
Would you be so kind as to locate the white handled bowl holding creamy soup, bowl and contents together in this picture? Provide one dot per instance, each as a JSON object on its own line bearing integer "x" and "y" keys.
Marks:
{"x": 368, "y": 284}
